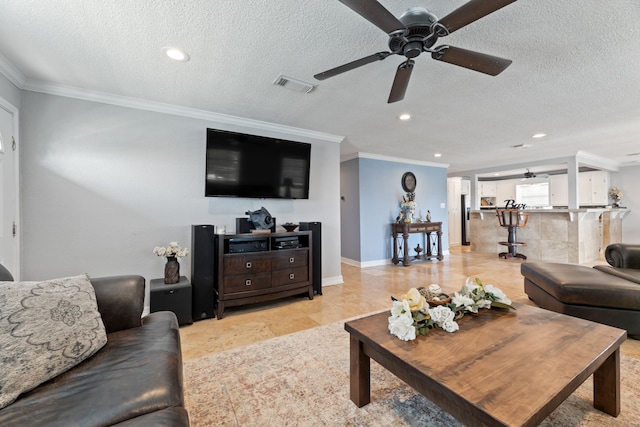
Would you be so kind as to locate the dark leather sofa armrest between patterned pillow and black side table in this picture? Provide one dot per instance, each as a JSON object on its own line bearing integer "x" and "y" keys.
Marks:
{"x": 120, "y": 301}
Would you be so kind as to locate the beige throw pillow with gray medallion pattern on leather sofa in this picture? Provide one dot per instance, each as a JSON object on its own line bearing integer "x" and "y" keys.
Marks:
{"x": 46, "y": 328}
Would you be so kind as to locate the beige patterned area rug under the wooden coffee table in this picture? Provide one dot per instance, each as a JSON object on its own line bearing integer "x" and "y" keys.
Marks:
{"x": 302, "y": 379}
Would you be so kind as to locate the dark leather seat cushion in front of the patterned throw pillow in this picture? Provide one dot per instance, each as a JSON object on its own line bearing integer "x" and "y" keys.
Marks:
{"x": 138, "y": 372}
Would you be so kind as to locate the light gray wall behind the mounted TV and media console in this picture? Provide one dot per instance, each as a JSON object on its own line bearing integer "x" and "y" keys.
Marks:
{"x": 102, "y": 185}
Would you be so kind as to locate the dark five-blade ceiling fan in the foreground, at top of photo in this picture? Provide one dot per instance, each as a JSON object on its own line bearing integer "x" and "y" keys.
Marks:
{"x": 416, "y": 31}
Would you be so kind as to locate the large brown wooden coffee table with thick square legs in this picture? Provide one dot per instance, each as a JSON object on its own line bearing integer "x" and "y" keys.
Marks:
{"x": 502, "y": 368}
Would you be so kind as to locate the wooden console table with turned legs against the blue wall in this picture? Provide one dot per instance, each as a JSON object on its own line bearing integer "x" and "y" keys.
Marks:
{"x": 432, "y": 232}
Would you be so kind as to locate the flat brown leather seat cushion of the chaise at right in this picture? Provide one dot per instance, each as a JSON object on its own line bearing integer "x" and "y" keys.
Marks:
{"x": 581, "y": 285}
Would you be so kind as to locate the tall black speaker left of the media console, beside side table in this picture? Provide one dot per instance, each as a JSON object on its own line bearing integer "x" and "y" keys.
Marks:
{"x": 202, "y": 271}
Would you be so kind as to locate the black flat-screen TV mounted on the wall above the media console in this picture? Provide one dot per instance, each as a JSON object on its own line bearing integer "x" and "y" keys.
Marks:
{"x": 242, "y": 165}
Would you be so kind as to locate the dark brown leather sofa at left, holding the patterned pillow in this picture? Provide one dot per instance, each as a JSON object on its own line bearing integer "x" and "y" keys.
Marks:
{"x": 134, "y": 380}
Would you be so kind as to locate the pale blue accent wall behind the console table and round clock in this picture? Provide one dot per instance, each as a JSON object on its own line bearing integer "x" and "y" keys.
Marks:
{"x": 380, "y": 193}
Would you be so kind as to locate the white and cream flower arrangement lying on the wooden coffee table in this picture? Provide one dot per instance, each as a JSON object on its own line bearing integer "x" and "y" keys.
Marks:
{"x": 417, "y": 311}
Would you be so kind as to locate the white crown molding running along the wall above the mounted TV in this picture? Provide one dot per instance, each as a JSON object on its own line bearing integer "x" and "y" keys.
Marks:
{"x": 159, "y": 107}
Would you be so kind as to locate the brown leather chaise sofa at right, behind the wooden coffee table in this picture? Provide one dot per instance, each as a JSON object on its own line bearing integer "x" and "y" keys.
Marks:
{"x": 608, "y": 294}
